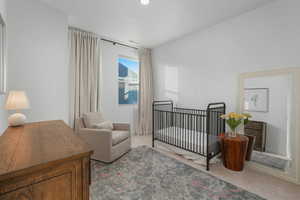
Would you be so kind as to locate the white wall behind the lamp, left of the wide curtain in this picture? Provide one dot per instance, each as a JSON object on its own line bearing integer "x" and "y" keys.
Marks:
{"x": 38, "y": 58}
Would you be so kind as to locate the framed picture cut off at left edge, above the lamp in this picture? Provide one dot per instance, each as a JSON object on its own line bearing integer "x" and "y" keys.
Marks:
{"x": 2, "y": 56}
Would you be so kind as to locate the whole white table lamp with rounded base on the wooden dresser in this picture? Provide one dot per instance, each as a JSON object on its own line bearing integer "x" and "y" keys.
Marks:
{"x": 17, "y": 100}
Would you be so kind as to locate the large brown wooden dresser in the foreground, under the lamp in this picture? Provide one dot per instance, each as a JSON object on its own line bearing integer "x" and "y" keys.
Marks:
{"x": 44, "y": 161}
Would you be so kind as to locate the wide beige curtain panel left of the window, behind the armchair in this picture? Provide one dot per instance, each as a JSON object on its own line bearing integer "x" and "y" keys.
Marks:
{"x": 85, "y": 73}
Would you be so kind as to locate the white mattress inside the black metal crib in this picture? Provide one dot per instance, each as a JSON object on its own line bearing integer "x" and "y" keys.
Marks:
{"x": 188, "y": 139}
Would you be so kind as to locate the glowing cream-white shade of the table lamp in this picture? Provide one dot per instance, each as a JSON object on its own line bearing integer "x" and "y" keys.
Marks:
{"x": 17, "y": 100}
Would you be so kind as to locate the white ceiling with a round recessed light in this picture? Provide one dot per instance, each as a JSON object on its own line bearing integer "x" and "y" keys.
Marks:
{"x": 152, "y": 25}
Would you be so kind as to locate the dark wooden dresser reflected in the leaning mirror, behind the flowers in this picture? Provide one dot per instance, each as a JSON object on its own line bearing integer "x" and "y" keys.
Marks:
{"x": 259, "y": 130}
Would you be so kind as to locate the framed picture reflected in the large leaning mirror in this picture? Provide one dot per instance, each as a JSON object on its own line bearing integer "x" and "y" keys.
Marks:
{"x": 256, "y": 99}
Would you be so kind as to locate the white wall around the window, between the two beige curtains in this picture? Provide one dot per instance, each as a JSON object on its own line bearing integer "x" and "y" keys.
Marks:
{"x": 109, "y": 95}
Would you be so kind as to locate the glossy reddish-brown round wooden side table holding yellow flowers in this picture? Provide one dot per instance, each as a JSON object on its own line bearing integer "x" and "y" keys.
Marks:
{"x": 234, "y": 150}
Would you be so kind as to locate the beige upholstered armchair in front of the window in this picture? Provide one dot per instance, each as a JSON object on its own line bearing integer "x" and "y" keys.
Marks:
{"x": 108, "y": 145}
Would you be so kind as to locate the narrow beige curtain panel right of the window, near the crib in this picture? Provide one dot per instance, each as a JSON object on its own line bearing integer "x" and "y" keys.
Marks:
{"x": 146, "y": 93}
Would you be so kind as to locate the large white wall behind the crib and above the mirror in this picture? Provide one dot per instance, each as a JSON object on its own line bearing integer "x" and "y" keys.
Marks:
{"x": 204, "y": 67}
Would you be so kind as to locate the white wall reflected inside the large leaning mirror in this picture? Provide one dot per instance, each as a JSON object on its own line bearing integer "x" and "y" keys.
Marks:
{"x": 280, "y": 95}
